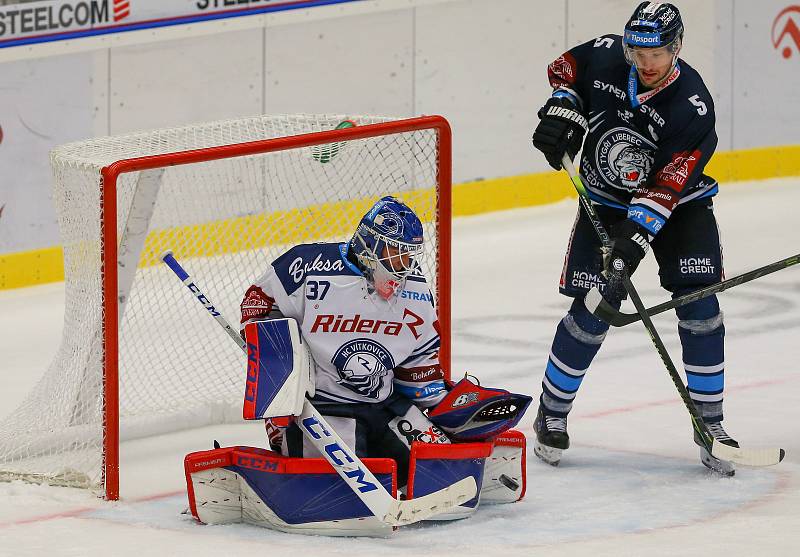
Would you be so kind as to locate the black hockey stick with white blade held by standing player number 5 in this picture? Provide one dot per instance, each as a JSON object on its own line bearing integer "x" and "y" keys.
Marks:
{"x": 747, "y": 457}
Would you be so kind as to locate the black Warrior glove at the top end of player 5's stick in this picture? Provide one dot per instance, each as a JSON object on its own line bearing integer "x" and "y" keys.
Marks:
{"x": 560, "y": 130}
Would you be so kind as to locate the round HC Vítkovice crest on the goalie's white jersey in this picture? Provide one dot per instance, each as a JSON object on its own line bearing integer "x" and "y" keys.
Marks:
{"x": 362, "y": 365}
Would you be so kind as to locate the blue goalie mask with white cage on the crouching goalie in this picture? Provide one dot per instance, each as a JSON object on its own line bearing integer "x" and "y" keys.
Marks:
{"x": 385, "y": 245}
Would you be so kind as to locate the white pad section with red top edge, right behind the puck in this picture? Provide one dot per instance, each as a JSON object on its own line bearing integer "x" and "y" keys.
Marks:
{"x": 504, "y": 476}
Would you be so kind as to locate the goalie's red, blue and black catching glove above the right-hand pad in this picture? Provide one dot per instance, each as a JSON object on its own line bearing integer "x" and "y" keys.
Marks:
{"x": 470, "y": 412}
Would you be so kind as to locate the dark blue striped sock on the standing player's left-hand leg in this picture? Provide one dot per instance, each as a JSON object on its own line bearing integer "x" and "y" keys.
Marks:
{"x": 577, "y": 340}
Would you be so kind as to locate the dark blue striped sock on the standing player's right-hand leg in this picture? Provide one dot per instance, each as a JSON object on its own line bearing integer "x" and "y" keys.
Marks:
{"x": 702, "y": 335}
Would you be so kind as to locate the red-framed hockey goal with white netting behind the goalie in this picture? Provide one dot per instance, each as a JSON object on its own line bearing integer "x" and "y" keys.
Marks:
{"x": 396, "y": 157}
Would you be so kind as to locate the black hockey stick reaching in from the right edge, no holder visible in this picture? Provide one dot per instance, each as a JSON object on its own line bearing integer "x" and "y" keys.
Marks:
{"x": 601, "y": 308}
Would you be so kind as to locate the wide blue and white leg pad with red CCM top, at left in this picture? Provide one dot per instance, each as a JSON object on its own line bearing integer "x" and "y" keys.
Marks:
{"x": 256, "y": 486}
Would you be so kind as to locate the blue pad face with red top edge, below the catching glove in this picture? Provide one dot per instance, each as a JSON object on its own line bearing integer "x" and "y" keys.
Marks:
{"x": 435, "y": 466}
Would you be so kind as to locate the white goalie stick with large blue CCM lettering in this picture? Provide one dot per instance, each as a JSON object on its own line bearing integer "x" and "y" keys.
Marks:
{"x": 343, "y": 459}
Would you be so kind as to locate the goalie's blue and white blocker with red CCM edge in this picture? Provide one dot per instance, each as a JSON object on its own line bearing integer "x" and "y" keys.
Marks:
{"x": 280, "y": 369}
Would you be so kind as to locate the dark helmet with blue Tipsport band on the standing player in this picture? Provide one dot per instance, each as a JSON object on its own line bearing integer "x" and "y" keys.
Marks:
{"x": 653, "y": 25}
